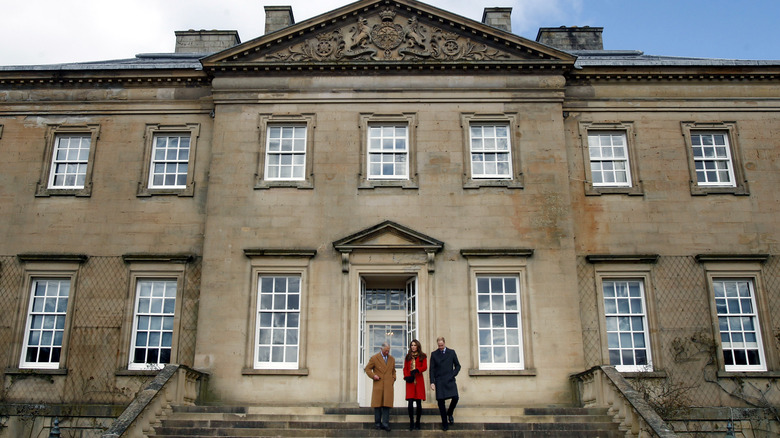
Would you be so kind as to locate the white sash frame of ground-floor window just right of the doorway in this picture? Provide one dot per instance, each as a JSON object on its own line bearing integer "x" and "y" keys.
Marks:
{"x": 491, "y": 313}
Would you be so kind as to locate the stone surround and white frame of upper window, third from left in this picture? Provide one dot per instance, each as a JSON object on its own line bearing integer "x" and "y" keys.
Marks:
{"x": 266, "y": 123}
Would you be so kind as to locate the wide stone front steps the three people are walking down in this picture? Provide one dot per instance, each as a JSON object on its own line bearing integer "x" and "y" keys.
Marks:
{"x": 286, "y": 421}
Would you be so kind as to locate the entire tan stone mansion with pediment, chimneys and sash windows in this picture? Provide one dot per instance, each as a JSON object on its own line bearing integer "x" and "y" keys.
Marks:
{"x": 268, "y": 212}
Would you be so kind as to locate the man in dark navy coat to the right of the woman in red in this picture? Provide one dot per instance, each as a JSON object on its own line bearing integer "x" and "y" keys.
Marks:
{"x": 444, "y": 366}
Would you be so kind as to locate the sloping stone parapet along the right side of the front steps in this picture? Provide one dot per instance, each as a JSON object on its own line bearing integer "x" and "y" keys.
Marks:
{"x": 604, "y": 386}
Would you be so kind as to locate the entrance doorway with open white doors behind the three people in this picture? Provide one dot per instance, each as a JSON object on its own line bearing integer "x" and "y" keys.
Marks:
{"x": 388, "y": 313}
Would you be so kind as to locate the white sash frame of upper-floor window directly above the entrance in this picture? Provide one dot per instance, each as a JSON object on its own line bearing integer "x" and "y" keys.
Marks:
{"x": 379, "y": 134}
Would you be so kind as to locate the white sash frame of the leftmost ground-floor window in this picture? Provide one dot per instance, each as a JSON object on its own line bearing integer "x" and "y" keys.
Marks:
{"x": 58, "y": 326}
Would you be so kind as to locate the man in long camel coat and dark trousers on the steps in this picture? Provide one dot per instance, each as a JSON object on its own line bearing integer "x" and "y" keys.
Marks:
{"x": 381, "y": 369}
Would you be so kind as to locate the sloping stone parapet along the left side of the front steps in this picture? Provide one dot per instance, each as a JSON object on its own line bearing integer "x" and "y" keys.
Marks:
{"x": 174, "y": 384}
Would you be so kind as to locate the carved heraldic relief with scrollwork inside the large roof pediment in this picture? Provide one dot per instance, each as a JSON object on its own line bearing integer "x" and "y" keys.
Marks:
{"x": 388, "y": 41}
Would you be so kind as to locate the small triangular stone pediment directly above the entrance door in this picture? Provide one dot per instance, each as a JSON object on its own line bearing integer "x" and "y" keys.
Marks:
{"x": 388, "y": 235}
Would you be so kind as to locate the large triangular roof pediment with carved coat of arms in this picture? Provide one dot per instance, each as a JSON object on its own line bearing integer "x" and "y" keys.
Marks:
{"x": 376, "y": 32}
